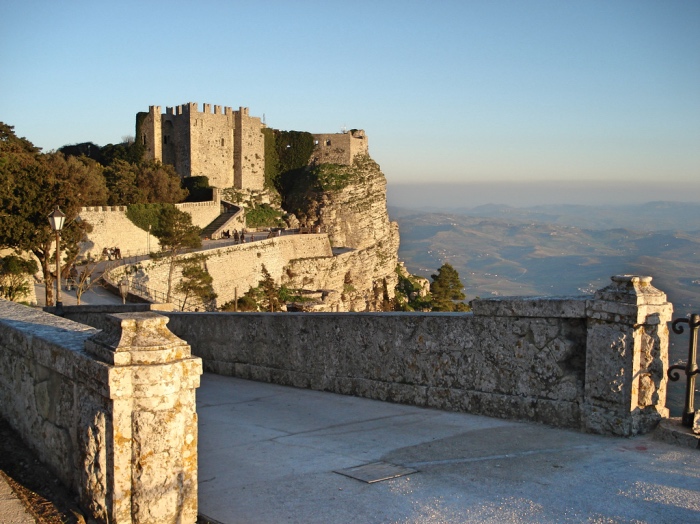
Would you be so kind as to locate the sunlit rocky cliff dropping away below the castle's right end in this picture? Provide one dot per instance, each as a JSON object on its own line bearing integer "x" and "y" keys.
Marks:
{"x": 349, "y": 203}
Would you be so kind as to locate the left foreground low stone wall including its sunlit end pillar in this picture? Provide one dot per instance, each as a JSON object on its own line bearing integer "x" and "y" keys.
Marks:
{"x": 111, "y": 412}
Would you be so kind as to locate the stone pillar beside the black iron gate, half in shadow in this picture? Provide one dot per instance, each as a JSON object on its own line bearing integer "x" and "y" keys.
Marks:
{"x": 626, "y": 357}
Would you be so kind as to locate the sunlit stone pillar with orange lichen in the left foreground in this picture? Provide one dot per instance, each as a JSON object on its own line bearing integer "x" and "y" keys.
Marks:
{"x": 138, "y": 428}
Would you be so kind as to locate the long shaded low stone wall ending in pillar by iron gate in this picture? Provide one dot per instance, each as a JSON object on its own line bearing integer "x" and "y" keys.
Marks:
{"x": 596, "y": 364}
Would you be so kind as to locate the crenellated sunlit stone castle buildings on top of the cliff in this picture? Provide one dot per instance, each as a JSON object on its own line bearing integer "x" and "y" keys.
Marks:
{"x": 226, "y": 146}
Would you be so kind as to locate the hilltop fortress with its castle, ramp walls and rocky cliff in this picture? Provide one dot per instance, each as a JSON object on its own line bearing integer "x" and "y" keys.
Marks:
{"x": 346, "y": 262}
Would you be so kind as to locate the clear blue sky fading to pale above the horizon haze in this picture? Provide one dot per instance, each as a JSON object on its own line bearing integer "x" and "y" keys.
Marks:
{"x": 448, "y": 91}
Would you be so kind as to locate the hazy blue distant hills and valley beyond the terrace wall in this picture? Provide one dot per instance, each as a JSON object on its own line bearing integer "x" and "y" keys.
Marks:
{"x": 536, "y": 251}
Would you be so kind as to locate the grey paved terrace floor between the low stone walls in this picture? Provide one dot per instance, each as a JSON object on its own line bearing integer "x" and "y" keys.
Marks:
{"x": 268, "y": 454}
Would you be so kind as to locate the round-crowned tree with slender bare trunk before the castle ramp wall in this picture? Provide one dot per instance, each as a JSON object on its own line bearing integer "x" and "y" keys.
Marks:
{"x": 176, "y": 233}
